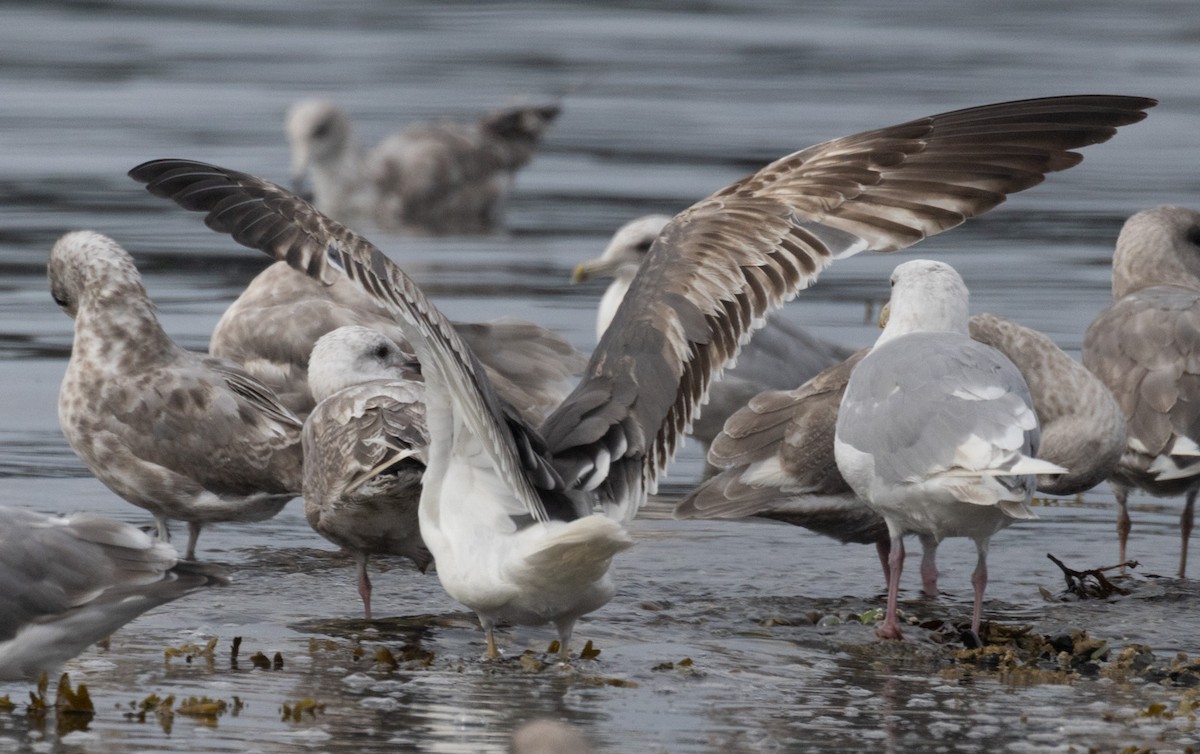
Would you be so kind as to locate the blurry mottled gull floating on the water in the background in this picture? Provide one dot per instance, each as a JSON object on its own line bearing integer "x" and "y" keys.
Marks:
{"x": 439, "y": 177}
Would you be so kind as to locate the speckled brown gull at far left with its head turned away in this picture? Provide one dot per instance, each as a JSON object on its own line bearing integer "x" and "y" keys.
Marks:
{"x": 184, "y": 436}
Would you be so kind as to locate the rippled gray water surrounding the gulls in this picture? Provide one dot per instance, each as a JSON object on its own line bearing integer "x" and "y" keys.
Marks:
{"x": 663, "y": 105}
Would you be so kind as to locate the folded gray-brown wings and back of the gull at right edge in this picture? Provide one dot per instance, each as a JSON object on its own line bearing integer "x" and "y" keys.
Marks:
{"x": 1147, "y": 350}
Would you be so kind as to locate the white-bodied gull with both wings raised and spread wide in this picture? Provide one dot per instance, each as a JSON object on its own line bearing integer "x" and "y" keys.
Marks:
{"x": 524, "y": 523}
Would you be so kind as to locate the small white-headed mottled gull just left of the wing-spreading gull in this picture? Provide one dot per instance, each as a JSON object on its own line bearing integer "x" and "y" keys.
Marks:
{"x": 365, "y": 448}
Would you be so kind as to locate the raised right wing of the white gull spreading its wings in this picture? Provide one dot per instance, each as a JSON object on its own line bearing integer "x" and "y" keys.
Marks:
{"x": 722, "y": 265}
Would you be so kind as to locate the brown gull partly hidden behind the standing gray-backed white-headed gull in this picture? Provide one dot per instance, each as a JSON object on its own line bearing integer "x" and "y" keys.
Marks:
{"x": 777, "y": 454}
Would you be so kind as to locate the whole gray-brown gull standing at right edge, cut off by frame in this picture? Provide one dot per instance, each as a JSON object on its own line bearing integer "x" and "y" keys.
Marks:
{"x": 1147, "y": 349}
